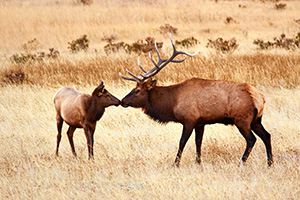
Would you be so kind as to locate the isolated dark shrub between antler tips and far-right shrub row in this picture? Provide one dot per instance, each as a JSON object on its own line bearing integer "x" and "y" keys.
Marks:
{"x": 225, "y": 46}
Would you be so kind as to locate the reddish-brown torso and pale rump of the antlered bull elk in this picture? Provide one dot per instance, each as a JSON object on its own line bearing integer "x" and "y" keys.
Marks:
{"x": 216, "y": 101}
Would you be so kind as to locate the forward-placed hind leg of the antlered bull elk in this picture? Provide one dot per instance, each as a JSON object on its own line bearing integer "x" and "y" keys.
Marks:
{"x": 245, "y": 130}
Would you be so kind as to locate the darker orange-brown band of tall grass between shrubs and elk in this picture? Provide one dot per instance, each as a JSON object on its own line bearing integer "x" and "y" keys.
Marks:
{"x": 257, "y": 69}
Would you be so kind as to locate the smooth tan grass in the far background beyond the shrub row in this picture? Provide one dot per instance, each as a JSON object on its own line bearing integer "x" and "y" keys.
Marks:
{"x": 56, "y": 24}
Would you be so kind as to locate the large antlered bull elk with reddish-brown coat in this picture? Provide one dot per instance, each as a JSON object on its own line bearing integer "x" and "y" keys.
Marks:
{"x": 197, "y": 102}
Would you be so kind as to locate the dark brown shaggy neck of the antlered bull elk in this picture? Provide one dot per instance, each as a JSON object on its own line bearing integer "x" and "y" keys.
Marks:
{"x": 160, "y": 104}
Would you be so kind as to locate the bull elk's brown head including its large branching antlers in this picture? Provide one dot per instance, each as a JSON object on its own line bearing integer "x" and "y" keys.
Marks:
{"x": 139, "y": 95}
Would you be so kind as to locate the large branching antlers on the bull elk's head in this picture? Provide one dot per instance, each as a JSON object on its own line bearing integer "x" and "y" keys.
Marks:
{"x": 161, "y": 63}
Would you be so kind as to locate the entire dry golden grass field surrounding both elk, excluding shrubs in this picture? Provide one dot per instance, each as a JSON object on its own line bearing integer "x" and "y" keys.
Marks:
{"x": 134, "y": 155}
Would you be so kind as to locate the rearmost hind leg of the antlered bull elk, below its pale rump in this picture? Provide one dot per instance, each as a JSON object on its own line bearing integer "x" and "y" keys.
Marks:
{"x": 258, "y": 128}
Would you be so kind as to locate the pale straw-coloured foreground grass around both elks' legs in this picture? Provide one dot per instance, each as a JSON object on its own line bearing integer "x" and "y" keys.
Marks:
{"x": 134, "y": 155}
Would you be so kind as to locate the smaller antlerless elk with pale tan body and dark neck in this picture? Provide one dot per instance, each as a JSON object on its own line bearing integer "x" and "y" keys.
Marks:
{"x": 81, "y": 111}
